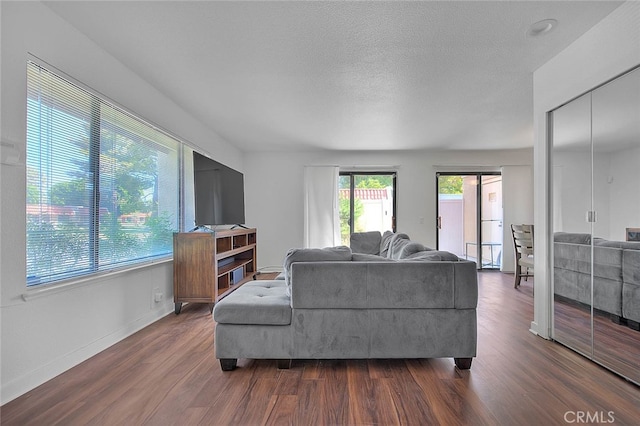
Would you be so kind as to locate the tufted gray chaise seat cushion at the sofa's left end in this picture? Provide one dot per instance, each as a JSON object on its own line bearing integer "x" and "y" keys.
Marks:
{"x": 257, "y": 302}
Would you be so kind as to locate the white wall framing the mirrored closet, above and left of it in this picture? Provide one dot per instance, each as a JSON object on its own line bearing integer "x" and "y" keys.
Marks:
{"x": 607, "y": 50}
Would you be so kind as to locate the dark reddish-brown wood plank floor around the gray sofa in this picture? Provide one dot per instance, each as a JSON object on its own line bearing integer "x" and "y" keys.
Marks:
{"x": 167, "y": 374}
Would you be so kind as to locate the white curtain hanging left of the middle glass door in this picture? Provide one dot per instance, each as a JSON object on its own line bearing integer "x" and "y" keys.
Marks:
{"x": 321, "y": 220}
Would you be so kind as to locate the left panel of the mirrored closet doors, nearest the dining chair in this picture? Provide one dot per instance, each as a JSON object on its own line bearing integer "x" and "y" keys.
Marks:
{"x": 572, "y": 254}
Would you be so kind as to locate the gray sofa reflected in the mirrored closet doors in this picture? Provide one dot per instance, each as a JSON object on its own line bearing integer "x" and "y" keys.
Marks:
{"x": 616, "y": 274}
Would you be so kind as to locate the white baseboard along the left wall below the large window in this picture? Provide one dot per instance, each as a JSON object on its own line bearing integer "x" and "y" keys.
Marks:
{"x": 33, "y": 379}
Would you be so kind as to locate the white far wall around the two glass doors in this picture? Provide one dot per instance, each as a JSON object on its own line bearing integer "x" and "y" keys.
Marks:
{"x": 274, "y": 190}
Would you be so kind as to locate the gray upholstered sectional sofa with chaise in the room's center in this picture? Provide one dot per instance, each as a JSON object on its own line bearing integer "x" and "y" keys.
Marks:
{"x": 393, "y": 299}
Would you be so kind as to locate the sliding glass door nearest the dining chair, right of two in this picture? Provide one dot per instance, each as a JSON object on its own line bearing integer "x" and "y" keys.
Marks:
{"x": 470, "y": 216}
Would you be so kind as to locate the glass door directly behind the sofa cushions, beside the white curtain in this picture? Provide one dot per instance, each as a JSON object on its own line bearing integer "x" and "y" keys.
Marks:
{"x": 367, "y": 203}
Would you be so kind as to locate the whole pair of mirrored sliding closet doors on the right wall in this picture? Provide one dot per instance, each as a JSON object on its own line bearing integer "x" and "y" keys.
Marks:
{"x": 595, "y": 160}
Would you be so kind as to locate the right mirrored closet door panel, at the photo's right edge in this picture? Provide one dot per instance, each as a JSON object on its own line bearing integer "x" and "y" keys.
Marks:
{"x": 616, "y": 150}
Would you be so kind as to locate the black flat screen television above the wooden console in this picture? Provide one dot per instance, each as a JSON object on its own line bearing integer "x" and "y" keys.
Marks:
{"x": 219, "y": 193}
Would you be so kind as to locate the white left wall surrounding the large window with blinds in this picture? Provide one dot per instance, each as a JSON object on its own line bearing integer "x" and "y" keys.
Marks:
{"x": 46, "y": 335}
